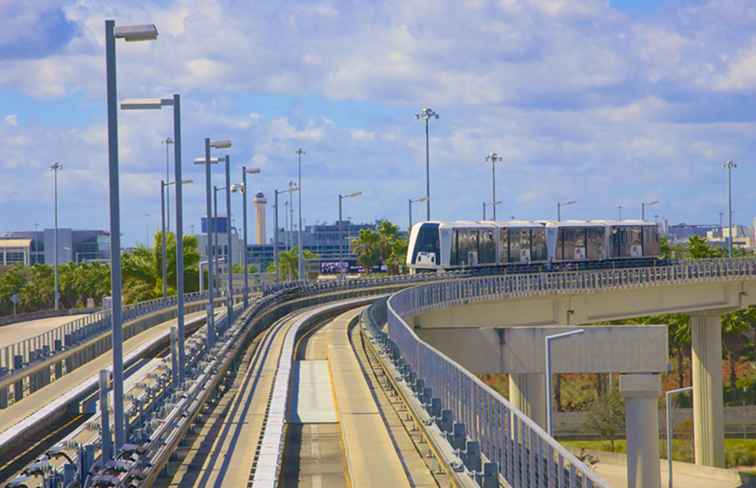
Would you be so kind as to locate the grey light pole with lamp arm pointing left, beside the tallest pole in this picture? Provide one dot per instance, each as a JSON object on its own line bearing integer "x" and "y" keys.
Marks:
{"x": 157, "y": 104}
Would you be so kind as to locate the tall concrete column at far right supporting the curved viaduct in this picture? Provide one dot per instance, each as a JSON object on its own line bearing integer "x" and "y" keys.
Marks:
{"x": 708, "y": 401}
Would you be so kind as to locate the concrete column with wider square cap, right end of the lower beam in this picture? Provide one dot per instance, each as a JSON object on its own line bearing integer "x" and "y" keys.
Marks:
{"x": 641, "y": 392}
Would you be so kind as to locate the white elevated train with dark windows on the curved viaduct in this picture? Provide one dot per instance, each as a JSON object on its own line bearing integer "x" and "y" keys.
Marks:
{"x": 524, "y": 246}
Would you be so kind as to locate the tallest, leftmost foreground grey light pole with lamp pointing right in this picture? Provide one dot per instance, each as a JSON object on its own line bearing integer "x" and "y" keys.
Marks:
{"x": 129, "y": 34}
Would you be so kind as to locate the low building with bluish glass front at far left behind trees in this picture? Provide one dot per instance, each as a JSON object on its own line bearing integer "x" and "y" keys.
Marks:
{"x": 38, "y": 246}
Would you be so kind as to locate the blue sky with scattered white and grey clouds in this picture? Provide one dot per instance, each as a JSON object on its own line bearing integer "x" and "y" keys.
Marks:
{"x": 605, "y": 102}
